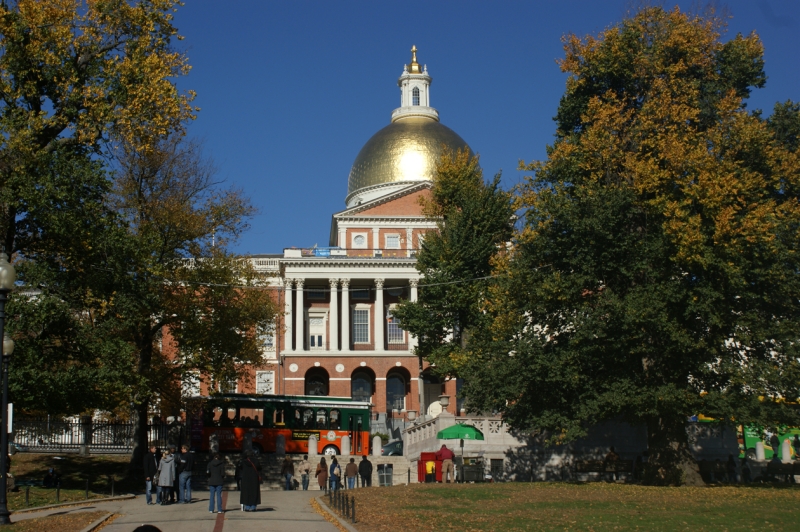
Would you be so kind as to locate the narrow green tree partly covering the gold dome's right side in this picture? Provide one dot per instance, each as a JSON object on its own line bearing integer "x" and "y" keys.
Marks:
{"x": 475, "y": 221}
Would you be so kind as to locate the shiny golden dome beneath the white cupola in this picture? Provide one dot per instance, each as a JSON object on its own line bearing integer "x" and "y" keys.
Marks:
{"x": 405, "y": 150}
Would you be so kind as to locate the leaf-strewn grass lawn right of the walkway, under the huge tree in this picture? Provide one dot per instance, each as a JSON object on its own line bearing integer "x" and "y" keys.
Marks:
{"x": 593, "y": 506}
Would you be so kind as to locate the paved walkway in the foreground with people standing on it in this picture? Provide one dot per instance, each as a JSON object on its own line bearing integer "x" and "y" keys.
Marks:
{"x": 280, "y": 510}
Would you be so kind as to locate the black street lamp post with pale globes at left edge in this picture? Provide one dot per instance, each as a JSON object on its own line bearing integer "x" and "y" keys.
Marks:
{"x": 7, "y": 279}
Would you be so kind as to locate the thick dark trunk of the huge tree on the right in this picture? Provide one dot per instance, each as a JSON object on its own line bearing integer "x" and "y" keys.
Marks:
{"x": 670, "y": 462}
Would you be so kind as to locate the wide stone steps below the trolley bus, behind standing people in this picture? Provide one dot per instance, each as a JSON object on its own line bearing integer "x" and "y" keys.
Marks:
{"x": 271, "y": 469}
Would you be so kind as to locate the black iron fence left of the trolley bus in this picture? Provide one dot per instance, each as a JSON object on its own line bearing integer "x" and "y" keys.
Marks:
{"x": 74, "y": 435}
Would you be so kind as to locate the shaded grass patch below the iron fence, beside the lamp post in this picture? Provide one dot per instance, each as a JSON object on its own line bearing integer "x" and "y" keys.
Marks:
{"x": 74, "y": 471}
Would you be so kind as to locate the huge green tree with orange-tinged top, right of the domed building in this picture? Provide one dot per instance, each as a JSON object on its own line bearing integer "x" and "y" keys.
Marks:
{"x": 655, "y": 276}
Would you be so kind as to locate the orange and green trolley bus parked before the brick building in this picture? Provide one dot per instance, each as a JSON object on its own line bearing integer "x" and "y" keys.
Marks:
{"x": 228, "y": 421}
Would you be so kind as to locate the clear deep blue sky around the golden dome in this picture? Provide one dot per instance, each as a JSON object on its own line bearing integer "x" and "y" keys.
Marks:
{"x": 290, "y": 91}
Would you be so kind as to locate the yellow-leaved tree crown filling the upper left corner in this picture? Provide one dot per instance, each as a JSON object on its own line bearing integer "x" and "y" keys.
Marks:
{"x": 76, "y": 75}
